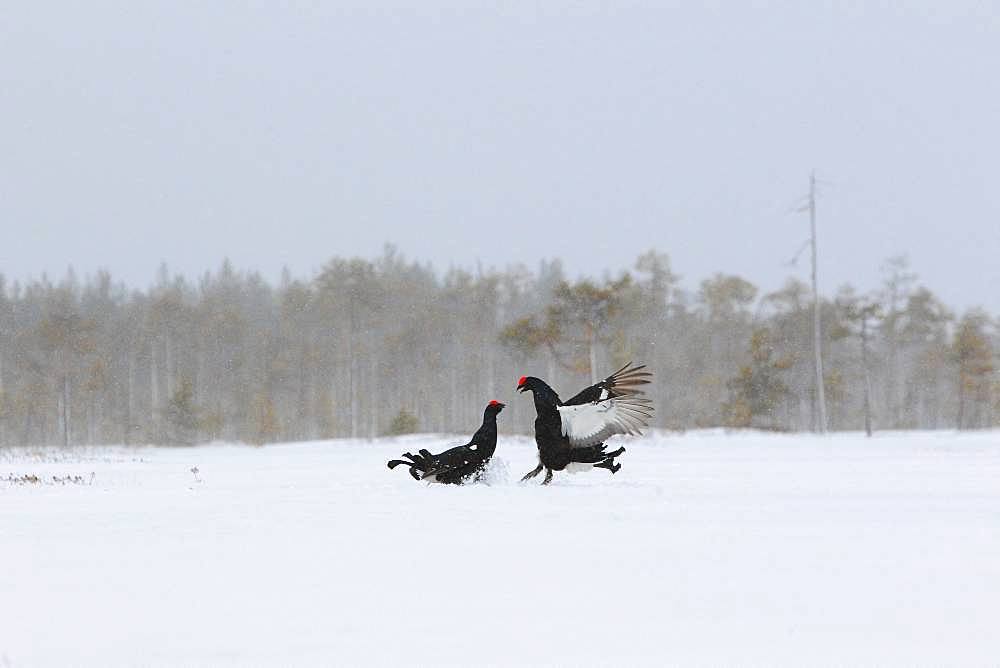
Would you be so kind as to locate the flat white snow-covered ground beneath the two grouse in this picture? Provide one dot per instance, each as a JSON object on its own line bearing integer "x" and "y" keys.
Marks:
{"x": 705, "y": 549}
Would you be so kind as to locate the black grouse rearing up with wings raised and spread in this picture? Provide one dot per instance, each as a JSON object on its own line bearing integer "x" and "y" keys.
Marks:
{"x": 570, "y": 435}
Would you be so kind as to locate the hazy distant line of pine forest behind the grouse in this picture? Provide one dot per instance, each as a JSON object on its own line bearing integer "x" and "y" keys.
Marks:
{"x": 370, "y": 347}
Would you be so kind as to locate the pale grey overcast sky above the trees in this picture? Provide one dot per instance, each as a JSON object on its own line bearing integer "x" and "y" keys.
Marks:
{"x": 284, "y": 133}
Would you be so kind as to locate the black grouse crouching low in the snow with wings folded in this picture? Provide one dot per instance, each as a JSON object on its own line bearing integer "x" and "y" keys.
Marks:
{"x": 459, "y": 465}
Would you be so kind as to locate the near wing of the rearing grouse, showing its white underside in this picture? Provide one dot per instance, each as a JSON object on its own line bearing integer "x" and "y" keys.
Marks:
{"x": 592, "y": 423}
